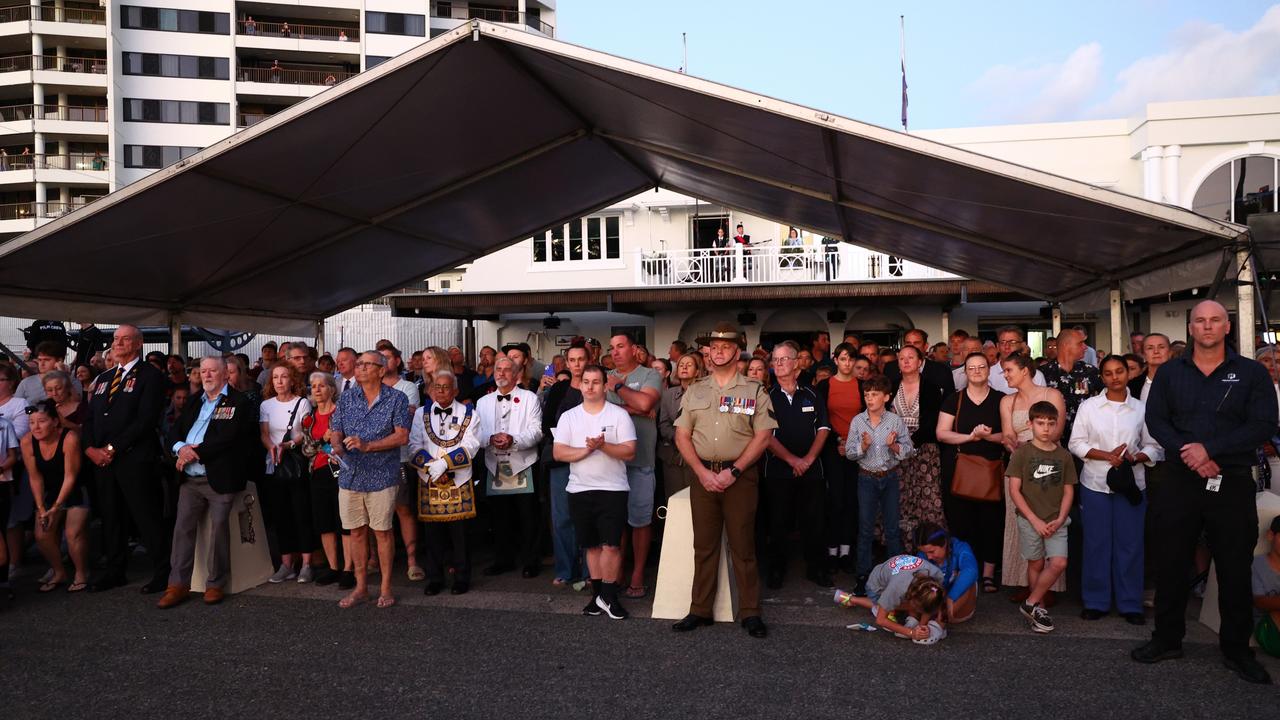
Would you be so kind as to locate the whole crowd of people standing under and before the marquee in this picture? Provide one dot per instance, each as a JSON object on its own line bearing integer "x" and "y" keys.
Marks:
{"x": 929, "y": 476}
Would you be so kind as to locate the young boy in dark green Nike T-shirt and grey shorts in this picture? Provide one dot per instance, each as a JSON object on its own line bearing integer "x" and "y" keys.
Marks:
{"x": 1041, "y": 479}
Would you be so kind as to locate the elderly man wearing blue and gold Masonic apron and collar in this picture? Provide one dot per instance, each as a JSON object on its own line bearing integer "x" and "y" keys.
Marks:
{"x": 445, "y": 438}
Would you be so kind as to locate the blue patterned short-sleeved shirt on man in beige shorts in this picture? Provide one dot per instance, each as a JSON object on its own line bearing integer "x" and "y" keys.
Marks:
{"x": 371, "y": 472}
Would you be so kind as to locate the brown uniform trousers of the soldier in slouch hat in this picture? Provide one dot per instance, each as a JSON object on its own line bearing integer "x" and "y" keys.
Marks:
{"x": 730, "y": 513}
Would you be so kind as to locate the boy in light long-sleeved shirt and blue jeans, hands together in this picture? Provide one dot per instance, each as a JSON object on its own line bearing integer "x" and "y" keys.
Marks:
{"x": 879, "y": 441}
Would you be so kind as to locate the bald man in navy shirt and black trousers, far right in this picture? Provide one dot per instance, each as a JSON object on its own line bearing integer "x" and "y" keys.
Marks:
{"x": 1210, "y": 409}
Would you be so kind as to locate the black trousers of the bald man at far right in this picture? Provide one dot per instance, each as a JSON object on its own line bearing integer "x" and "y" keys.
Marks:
{"x": 1181, "y": 509}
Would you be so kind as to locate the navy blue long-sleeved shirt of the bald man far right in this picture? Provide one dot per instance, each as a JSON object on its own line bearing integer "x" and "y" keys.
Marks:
{"x": 1231, "y": 412}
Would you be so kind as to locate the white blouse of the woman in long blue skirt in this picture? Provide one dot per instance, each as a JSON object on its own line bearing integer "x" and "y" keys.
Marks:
{"x": 1104, "y": 425}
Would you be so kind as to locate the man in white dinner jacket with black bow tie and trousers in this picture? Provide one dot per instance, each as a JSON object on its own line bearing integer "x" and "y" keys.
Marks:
{"x": 511, "y": 429}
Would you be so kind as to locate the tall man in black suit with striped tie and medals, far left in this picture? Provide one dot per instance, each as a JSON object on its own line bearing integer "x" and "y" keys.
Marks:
{"x": 121, "y": 441}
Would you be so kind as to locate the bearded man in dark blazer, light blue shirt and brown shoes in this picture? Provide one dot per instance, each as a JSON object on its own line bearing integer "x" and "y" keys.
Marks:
{"x": 218, "y": 448}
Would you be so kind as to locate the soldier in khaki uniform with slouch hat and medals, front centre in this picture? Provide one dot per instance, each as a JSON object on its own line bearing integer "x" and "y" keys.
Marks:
{"x": 725, "y": 423}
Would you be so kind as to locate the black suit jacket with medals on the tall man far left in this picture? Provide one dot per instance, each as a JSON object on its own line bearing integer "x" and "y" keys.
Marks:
{"x": 129, "y": 422}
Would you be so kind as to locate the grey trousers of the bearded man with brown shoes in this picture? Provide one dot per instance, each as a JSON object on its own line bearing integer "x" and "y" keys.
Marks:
{"x": 194, "y": 498}
